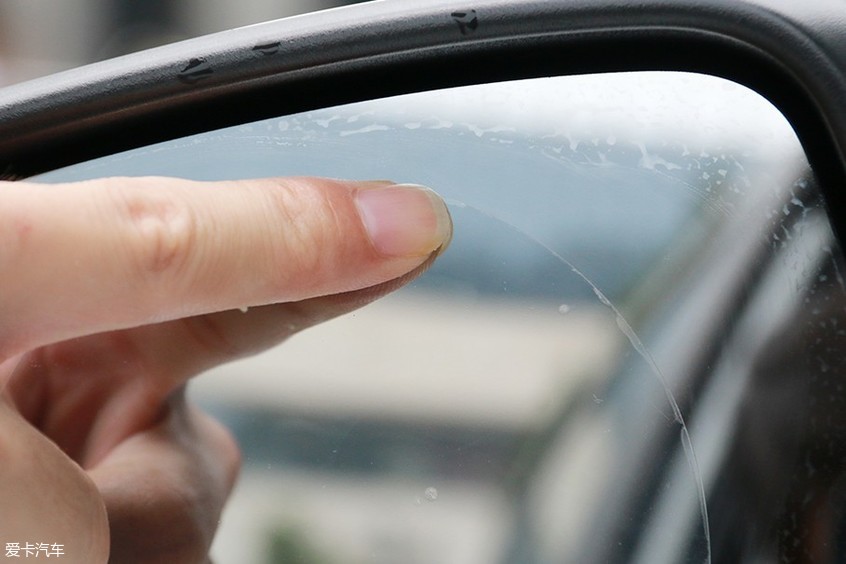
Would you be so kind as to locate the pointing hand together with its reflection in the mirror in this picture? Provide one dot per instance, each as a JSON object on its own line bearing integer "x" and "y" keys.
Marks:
{"x": 116, "y": 292}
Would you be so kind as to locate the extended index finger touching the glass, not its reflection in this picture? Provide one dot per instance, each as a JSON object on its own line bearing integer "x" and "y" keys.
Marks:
{"x": 83, "y": 258}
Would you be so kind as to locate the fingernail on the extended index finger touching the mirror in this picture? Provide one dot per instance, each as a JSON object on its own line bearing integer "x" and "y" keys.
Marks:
{"x": 404, "y": 220}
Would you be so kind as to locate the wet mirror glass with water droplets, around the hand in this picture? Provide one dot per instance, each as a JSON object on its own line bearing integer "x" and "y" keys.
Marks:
{"x": 631, "y": 352}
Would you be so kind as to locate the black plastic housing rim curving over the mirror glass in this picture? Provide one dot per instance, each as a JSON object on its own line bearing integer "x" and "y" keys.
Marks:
{"x": 792, "y": 53}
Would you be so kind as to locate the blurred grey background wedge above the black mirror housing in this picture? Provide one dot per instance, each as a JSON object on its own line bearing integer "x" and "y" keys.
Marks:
{"x": 38, "y": 37}
